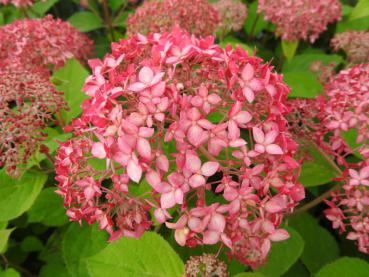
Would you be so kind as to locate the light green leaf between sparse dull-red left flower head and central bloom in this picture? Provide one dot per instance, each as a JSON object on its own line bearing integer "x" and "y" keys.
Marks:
{"x": 71, "y": 78}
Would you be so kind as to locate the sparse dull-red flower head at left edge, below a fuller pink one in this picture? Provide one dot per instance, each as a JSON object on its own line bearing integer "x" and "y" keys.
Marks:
{"x": 27, "y": 103}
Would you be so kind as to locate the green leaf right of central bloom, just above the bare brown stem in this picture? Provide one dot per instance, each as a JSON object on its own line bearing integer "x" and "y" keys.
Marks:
{"x": 316, "y": 171}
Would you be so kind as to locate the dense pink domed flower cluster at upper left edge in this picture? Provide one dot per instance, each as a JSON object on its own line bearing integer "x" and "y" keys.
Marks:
{"x": 42, "y": 42}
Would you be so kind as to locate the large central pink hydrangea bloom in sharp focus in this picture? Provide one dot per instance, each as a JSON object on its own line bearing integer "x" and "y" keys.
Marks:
{"x": 194, "y": 122}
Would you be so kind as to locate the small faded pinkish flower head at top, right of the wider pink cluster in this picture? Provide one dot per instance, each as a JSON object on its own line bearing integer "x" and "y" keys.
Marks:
{"x": 232, "y": 14}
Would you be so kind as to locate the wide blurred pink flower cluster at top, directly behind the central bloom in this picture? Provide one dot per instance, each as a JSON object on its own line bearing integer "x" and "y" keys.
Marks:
{"x": 197, "y": 17}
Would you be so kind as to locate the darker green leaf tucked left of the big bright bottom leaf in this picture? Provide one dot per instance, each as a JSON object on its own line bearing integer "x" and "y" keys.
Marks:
{"x": 80, "y": 243}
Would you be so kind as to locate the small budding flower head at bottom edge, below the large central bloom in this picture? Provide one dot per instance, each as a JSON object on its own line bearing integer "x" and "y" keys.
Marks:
{"x": 206, "y": 265}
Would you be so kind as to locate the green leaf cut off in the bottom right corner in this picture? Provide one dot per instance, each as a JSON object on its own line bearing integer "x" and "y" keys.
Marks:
{"x": 345, "y": 267}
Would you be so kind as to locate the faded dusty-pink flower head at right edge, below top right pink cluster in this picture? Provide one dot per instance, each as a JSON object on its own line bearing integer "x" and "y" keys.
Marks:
{"x": 354, "y": 43}
